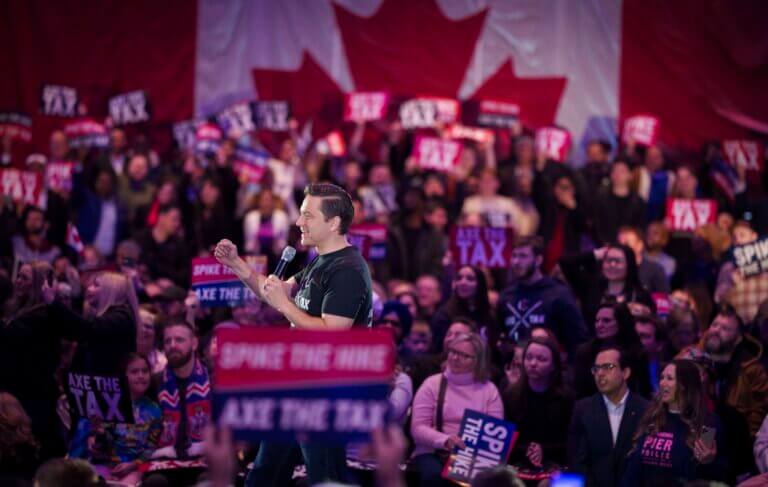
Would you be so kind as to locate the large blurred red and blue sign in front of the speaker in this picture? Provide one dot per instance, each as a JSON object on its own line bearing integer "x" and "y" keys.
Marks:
{"x": 275, "y": 383}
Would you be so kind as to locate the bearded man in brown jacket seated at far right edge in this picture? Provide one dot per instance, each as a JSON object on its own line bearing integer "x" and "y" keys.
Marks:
{"x": 741, "y": 381}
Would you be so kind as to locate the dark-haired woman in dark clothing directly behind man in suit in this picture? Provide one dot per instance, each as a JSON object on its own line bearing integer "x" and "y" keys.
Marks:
{"x": 614, "y": 326}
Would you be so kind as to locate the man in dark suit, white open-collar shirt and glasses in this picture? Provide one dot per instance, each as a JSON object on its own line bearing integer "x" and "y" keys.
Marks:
{"x": 602, "y": 425}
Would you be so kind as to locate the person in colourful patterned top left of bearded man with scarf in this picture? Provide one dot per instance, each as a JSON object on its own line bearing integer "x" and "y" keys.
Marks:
{"x": 118, "y": 450}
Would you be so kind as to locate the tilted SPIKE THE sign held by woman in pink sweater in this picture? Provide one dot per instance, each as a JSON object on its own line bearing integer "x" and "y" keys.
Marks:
{"x": 489, "y": 442}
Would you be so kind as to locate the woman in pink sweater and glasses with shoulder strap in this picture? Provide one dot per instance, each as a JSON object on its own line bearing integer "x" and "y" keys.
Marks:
{"x": 441, "y": 401}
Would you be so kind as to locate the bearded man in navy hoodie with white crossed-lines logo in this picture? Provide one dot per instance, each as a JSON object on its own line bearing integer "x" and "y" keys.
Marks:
{"x": 535, "y": 300}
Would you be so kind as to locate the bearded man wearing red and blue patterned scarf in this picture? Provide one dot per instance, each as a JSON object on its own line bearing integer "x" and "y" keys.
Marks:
{"x": 185, "y": 400}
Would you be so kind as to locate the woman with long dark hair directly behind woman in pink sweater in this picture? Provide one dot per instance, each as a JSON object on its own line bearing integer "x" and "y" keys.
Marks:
{"x": 469, "y": 297}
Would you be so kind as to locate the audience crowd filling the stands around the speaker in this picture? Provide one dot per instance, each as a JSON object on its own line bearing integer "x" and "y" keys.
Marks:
{"x": 621, "y": 349}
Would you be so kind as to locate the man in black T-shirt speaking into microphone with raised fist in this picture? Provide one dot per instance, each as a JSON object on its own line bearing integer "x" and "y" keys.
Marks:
{"x": 332, "y": 293}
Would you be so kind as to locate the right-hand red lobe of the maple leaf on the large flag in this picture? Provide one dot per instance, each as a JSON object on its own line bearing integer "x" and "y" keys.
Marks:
{"x": 538, "y": 98}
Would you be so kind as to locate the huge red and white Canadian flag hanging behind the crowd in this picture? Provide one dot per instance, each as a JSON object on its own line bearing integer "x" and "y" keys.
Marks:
{"x": 701, "y": 66}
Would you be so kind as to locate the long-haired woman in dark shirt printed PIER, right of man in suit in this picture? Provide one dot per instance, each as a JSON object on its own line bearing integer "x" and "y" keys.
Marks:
{"x": 677, "y": 439}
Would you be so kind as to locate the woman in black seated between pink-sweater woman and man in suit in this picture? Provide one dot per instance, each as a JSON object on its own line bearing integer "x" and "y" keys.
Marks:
{"x": 540, "y": 406}
